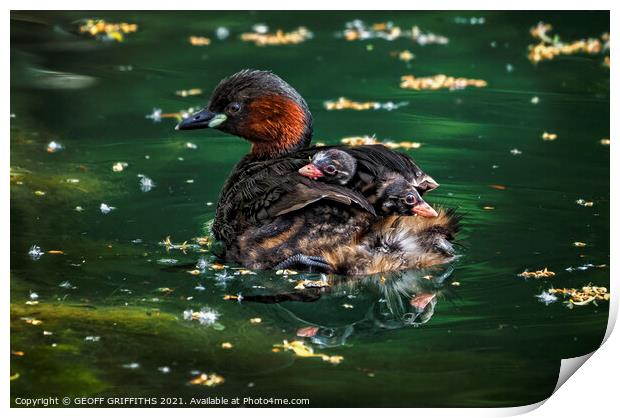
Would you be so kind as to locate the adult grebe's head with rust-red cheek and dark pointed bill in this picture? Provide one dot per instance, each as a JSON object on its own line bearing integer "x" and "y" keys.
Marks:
{"x": 260, "y": 107}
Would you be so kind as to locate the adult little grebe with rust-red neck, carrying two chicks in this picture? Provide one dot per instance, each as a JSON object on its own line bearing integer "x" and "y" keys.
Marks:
{"x": 269, "y": 215}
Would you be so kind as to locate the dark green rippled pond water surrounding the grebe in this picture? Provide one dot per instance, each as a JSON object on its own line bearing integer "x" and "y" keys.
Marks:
{"x": 487, "y": 342}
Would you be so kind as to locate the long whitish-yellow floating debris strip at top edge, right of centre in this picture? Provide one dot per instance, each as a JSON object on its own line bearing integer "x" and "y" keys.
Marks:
{"x": 358, "y": 30}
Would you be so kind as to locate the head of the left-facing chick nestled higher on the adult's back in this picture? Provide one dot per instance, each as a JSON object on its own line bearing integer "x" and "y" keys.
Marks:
{"x": 331, "y": 166}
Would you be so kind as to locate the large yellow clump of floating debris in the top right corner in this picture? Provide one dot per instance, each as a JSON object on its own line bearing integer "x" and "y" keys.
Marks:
{"x": 548, "y": 48}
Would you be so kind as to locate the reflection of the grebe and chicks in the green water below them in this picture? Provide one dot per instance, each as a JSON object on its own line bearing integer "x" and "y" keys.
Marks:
{"x": 382, "y": 301}
